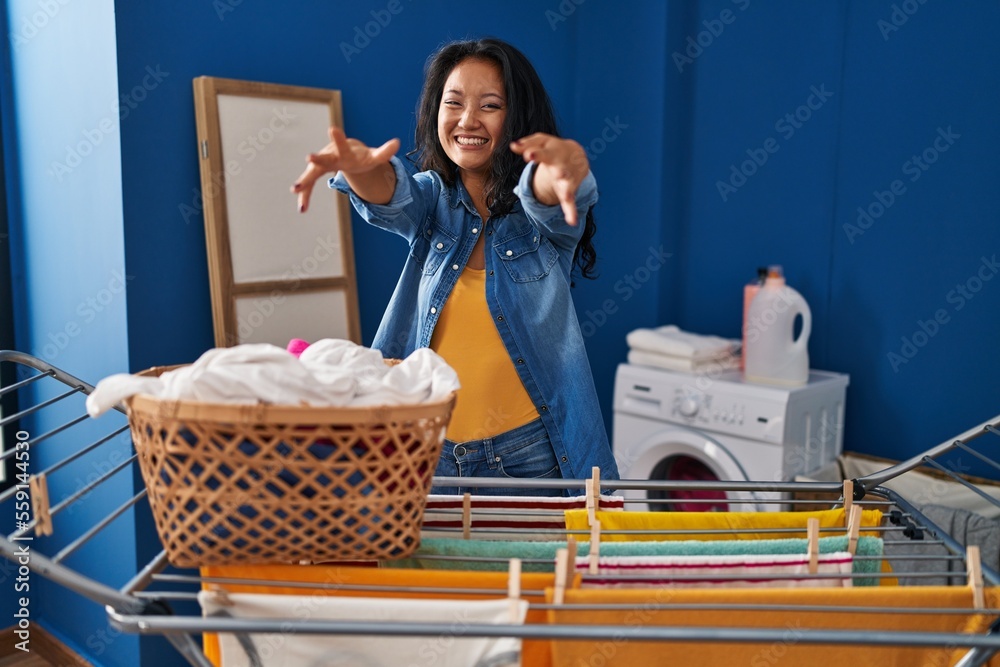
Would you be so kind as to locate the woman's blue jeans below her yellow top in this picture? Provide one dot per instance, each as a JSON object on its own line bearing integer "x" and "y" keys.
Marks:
{"x": 521, "y": 453}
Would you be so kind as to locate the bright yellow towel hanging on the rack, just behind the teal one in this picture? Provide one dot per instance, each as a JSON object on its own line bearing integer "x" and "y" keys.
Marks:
{"x": 748, "y": 525}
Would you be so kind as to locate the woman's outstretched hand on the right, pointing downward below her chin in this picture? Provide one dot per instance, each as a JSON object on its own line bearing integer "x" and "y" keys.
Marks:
{"x": 562, "y": 166}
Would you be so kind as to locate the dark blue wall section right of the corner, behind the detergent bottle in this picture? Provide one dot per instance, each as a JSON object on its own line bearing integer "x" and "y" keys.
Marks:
{"x": 894, "y": 81}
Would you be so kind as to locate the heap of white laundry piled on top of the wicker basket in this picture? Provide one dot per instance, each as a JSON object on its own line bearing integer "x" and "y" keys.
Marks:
{"x": 336, "y": 373}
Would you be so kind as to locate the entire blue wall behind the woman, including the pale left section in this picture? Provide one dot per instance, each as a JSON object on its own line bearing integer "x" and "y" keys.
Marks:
{"x": 663, "y": 133}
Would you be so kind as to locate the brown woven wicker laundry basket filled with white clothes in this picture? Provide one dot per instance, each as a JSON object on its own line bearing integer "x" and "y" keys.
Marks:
{"x": 286, "y": 484}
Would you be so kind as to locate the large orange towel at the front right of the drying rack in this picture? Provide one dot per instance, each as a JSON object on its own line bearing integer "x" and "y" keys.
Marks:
{"x": 788, "y": 651}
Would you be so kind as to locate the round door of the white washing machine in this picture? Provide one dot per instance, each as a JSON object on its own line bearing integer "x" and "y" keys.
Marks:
{"x": 676, "y": 453}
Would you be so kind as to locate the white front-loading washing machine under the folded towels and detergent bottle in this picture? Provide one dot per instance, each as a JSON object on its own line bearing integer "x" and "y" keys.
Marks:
{"x": 678, "y": 426}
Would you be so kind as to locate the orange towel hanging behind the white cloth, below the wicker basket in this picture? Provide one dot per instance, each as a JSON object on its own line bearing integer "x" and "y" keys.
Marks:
{"x": 536, "y": 652}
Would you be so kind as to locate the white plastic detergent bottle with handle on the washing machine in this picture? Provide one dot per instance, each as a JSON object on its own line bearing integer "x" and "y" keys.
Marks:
{"x": 772, "y": 354}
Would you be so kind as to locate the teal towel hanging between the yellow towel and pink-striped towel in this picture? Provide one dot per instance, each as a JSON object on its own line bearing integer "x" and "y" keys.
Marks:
{"x": 465, "y": 554}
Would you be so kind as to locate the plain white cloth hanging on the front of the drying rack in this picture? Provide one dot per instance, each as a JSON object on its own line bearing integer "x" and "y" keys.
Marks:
{"x": 448, "y": 650}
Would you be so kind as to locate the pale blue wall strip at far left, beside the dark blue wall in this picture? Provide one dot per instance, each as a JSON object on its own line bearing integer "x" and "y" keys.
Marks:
{"x": 64, "y": 179}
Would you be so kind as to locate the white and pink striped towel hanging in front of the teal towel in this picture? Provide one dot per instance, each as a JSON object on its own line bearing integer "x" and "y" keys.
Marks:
{"x": 744, "y": 571}
